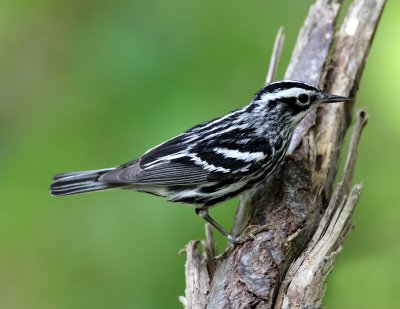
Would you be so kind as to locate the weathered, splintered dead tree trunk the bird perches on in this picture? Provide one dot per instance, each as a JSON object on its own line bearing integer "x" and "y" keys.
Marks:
{"x": 307, "y": 220}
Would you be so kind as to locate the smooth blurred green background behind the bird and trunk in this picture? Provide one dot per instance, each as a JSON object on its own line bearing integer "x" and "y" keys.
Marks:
{"x": 90, "y": 84}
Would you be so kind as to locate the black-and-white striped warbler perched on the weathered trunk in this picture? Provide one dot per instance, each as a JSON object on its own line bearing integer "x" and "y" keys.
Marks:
{"x": 215, "y": 160}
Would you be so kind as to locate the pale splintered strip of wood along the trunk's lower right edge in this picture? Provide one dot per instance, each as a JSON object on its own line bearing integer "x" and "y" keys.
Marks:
{"x": 304, "y": 283}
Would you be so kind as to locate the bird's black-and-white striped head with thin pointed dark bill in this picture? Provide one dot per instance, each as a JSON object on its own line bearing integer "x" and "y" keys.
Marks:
{"x": 292, "y": 100}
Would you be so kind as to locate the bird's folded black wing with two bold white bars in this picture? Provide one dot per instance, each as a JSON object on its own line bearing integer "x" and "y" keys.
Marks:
{"x": 189, "y": 159}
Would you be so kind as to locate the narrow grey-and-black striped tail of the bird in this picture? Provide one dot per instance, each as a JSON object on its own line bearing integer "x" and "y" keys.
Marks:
{"x": 79, "y": 182}
